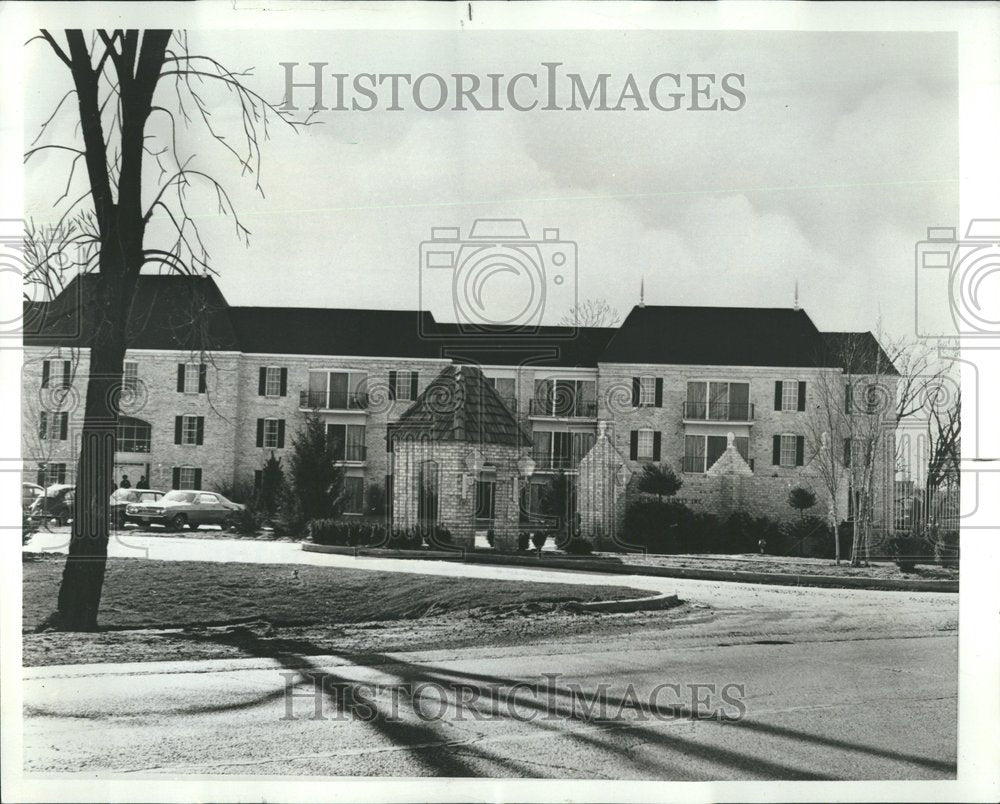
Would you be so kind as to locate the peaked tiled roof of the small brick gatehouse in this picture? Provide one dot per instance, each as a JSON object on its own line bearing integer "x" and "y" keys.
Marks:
{"x": 460, "y": 405}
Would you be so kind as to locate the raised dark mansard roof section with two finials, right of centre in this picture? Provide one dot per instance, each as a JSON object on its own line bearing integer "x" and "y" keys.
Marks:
{"x": 717, "y": 336}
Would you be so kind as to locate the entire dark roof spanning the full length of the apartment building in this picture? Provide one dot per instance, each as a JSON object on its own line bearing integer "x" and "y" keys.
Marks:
{"x": 190, "y": 313}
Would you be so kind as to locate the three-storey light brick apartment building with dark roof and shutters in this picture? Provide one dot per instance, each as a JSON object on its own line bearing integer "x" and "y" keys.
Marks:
{"x": 211, "y": 390}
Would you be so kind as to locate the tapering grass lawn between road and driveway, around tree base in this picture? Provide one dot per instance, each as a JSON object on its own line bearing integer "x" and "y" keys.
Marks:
{"x": 141, "y": 593}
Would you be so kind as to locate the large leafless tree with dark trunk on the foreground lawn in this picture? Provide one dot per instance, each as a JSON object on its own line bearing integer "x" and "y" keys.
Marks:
{"x": 122, "y": 80}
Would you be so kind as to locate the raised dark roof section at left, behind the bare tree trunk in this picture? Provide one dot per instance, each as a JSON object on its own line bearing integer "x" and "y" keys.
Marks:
{"x": 187, "y": 313}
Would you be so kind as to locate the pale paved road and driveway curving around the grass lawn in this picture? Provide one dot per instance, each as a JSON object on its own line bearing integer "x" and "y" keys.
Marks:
{"x": 846, "y": 685}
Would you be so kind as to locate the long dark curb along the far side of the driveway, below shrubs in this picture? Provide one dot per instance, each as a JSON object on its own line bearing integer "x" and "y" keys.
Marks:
{"x": 591, "y": 565}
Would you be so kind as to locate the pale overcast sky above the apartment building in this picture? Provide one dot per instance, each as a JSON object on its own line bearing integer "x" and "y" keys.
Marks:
{"x": 845, "y": 151}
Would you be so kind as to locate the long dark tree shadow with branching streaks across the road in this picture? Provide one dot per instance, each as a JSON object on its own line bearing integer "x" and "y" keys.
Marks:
{"x": 558, "y": 713}
